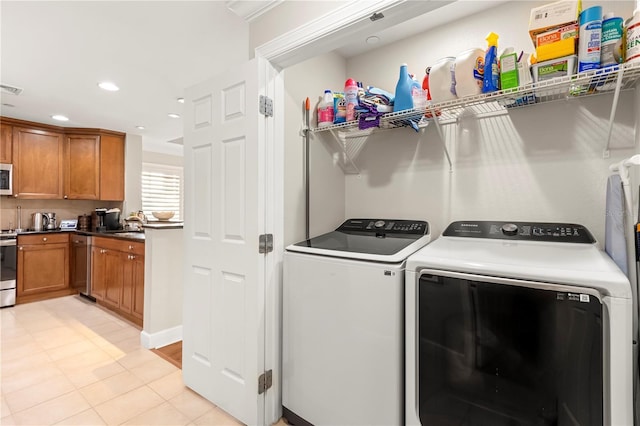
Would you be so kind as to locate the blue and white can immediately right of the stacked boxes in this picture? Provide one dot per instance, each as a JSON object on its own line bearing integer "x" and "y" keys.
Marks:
{"x": 589, "y": 39}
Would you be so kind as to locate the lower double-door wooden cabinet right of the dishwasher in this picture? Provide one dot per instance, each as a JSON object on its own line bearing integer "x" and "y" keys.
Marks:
{"x": 117, "y": 276}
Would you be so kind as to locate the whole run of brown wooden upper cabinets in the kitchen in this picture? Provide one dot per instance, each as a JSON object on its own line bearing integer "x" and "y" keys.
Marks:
{"x": 55, "y": 162}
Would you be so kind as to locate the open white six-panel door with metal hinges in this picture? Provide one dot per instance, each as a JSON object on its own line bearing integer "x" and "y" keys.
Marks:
{"x": 224, "y": 295}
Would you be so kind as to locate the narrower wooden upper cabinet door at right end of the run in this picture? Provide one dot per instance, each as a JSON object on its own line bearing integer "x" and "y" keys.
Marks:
{"x": 82, "y": 167}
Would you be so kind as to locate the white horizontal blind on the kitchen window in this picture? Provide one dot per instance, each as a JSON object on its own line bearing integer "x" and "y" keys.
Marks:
{"x": 162, "y": 189}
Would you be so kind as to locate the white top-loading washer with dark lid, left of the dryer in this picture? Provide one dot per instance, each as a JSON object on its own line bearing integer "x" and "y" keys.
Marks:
{"x": 343, "y": 323}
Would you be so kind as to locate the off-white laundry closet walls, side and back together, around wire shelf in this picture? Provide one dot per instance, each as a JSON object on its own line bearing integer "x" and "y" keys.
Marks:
{"x": 543, "y": 162}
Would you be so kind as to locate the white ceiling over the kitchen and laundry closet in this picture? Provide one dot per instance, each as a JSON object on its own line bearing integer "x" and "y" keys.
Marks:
{"x": 58, "y": 51}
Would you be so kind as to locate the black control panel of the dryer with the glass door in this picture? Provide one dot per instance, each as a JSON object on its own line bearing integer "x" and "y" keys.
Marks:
{"x": 521, "y": 231}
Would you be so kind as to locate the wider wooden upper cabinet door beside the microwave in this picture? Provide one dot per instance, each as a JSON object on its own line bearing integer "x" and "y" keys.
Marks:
{"x": 37, "y": 163}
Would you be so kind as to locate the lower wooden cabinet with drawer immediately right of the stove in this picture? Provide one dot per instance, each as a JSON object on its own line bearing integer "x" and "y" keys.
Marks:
{"x": 43, "y": 266}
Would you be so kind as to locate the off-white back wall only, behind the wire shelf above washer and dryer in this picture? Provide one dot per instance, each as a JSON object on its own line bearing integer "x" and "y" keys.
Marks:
{"x": 539, "y": 163}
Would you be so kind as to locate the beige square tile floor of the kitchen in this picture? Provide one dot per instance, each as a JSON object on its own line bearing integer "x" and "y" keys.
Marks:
{"x": 66, "y": 361}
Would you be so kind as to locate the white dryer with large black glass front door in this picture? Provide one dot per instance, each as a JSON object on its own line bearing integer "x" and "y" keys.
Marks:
{"x": 517, "y": 324}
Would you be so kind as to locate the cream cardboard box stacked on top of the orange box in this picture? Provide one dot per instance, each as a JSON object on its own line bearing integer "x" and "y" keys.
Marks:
{"x": 551, "y": 16}
